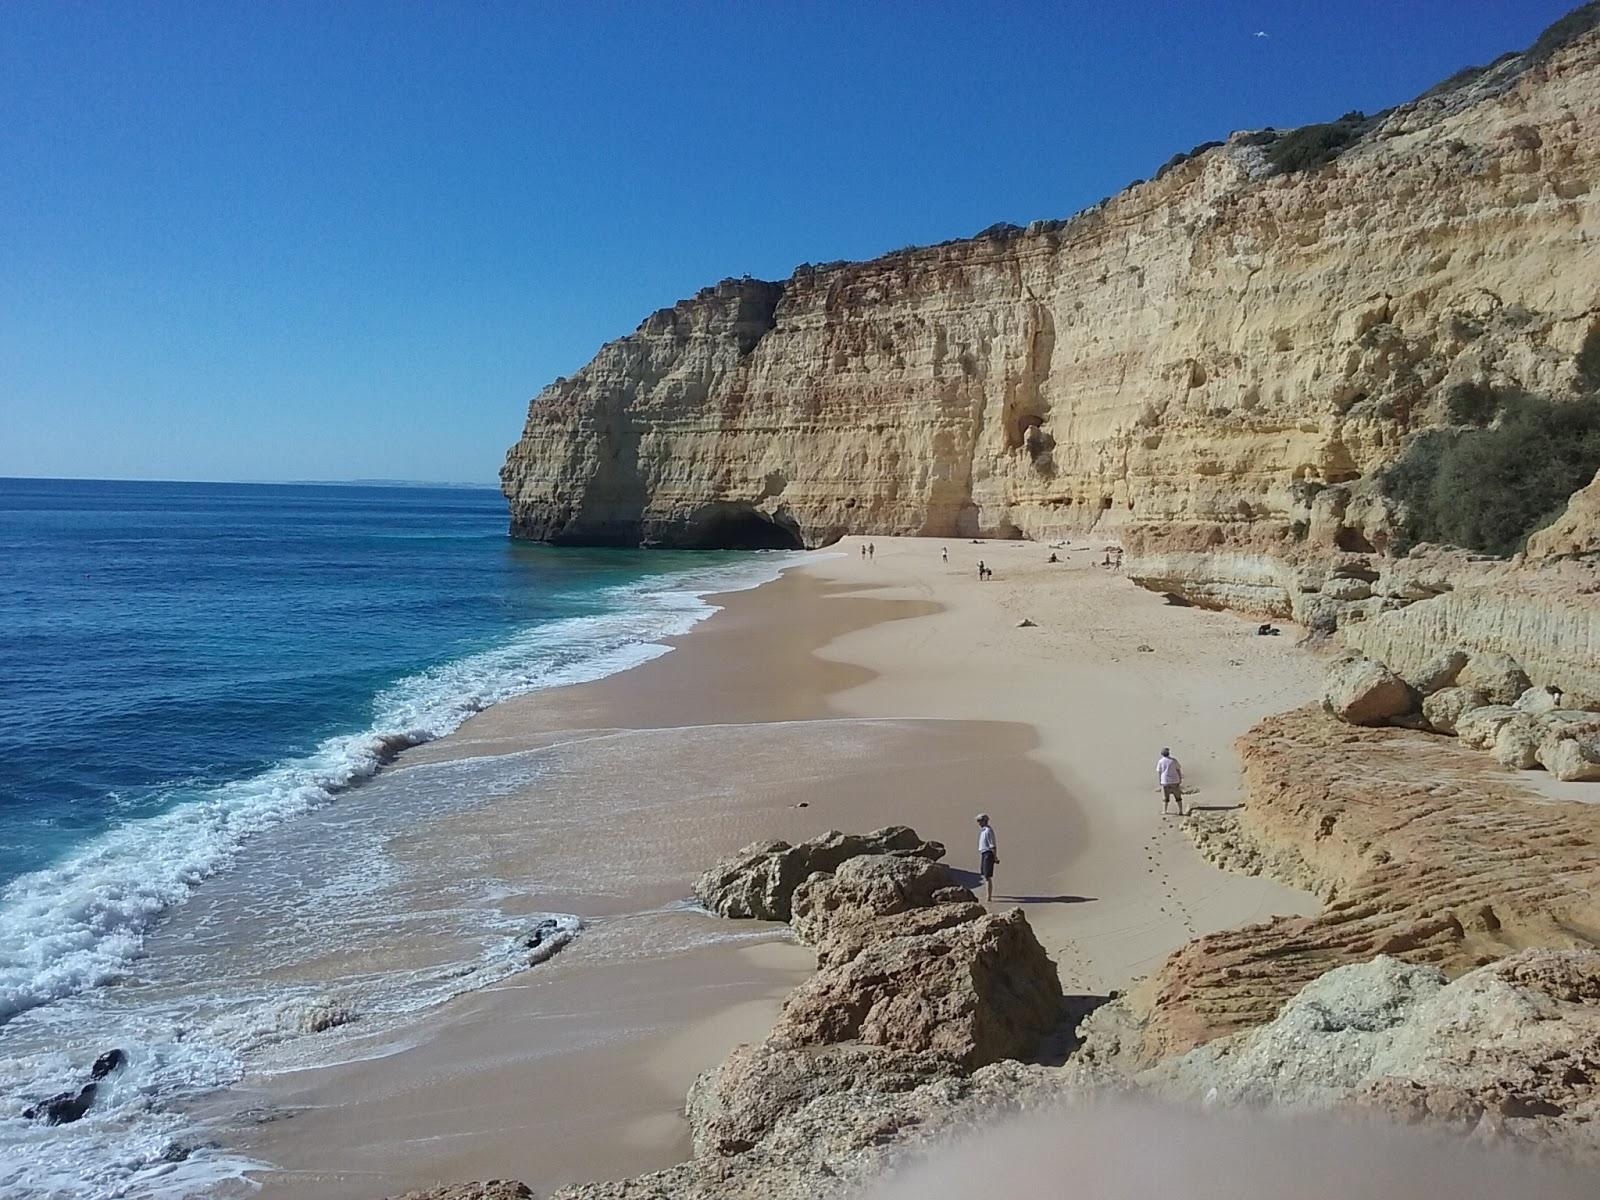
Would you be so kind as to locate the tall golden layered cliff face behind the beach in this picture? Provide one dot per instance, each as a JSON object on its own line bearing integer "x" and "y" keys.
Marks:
{"x": 1210, "y": 366}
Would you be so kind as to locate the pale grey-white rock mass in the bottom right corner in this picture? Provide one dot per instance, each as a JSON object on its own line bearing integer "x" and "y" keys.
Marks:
{"x": 1510, "y": 1050}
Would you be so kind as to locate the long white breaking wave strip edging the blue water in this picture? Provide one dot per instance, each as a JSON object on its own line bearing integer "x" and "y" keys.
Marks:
{"x": 81, "y": 922}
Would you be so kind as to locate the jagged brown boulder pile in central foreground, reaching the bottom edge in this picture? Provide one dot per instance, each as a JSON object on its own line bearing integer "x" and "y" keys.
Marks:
{"x": 911, "y": 1026}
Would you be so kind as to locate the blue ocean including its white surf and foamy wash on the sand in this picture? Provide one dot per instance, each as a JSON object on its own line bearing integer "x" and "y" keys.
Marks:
{"x": 193, "y": 679}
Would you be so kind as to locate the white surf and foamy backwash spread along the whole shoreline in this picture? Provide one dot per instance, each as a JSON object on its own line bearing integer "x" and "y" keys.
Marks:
{"x": 73, "y": 929}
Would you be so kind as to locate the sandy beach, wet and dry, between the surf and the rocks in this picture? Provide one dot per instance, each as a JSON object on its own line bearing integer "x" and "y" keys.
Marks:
{"x": 849, "y": 695}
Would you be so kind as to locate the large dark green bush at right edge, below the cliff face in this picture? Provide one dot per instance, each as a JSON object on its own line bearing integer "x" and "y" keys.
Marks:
{"x": 1489, "y": 489}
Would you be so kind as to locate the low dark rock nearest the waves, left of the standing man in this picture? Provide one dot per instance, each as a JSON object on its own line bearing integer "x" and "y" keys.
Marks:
{"x": 761, "y": 881}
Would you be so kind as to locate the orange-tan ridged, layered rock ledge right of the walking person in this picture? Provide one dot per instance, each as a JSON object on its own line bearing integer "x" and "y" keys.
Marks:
{"x": 1417, "y": 850}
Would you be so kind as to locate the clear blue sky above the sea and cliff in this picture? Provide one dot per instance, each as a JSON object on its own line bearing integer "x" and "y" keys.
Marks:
{"x": 351, "y": 241}
